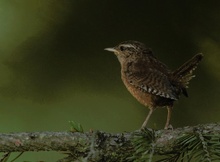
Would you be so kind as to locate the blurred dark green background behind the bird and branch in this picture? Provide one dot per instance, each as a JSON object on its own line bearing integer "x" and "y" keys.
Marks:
{"x": 54, "y": 69}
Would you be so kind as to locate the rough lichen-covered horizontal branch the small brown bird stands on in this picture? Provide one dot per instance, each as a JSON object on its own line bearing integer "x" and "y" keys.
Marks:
{"x": 98, "y": 145}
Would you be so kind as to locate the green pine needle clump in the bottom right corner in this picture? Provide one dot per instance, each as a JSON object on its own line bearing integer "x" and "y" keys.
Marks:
{"x": 197, "y": 146}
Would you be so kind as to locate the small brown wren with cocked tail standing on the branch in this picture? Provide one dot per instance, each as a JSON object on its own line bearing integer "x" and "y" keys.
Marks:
{"x": 149, "y": 80}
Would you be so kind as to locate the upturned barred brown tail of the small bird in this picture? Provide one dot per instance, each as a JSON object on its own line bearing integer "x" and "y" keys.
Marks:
{"x": 185, "y": 72}
